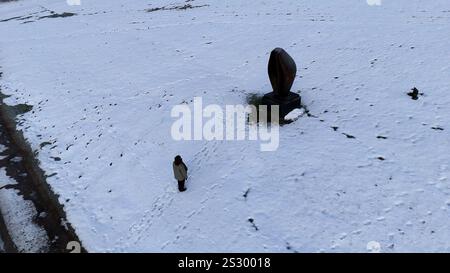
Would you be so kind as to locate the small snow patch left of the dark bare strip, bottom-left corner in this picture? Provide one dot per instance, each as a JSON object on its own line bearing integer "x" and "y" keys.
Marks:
{"x": 18, "y": 215}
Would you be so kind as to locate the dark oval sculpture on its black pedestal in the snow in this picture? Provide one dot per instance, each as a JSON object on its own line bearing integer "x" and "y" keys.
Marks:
{"x": 282, "y": 71}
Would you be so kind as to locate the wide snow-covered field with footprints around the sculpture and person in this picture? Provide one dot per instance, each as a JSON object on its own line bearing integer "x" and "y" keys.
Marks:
{"x": 370, "y": 164}
